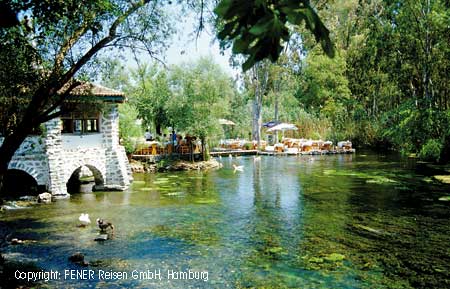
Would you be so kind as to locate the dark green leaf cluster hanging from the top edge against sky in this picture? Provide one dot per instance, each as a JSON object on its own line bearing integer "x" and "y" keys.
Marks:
{"x": 259, "y": 28}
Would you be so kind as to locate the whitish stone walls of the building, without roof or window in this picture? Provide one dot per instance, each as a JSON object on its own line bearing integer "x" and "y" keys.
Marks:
{"x": 50, "y": 164}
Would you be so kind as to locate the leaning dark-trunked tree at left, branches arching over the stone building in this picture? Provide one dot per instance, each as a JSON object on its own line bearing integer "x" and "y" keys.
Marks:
{"x": 54, "y": 43}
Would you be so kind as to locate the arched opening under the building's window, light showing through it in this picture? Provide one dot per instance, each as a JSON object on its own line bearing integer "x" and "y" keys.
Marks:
{"x": 85, "y": 179}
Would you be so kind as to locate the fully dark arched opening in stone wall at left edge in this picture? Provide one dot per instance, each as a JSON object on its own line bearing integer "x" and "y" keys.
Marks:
{"x": 20, "y": 183}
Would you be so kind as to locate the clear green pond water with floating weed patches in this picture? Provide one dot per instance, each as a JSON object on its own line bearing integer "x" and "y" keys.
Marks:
{"x": 342, "y": 221}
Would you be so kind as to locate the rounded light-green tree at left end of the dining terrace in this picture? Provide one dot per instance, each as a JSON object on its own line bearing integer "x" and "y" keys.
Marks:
{"x": 201, "y": 93}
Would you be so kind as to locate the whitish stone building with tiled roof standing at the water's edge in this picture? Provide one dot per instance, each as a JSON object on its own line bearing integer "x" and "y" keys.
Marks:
{"x": 86, "y": 135}
